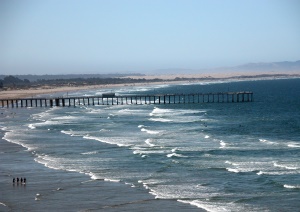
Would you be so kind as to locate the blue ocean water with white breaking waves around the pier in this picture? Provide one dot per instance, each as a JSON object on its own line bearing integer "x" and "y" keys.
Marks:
{"x": 215, "y": 156}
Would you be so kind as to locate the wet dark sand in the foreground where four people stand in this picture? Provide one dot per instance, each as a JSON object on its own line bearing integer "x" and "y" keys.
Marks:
{"x": 62, "y": 190}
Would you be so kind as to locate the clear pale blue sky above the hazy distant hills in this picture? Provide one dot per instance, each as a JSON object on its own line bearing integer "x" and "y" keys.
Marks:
{"x": 139, "y": 36}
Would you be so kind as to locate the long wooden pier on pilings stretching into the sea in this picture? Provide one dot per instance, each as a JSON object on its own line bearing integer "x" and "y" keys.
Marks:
{"x": 222, "y": 97}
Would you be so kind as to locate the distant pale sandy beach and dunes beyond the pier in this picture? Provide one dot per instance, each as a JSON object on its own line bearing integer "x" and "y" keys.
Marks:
{"x": 194, "y": 78}
